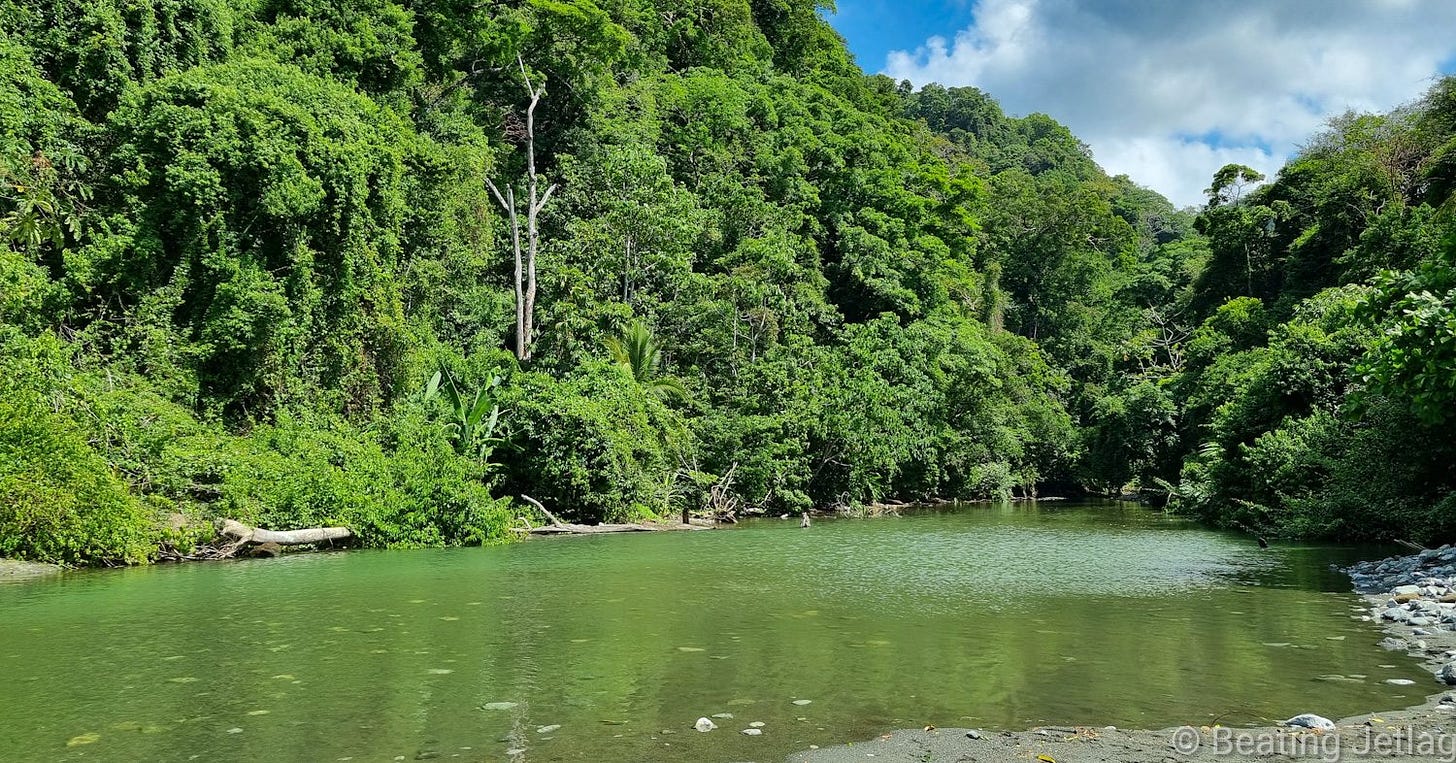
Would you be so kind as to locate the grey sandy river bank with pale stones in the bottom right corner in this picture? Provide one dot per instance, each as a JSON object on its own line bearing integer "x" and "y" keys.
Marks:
{"x": 1413, "y": 599}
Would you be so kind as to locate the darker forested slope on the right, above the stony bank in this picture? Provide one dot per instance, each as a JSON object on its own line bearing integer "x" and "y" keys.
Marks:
{"x": 1320, "y": 373}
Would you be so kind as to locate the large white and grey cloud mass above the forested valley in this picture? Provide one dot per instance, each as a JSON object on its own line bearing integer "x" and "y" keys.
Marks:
{"x": 1168, "y": 92}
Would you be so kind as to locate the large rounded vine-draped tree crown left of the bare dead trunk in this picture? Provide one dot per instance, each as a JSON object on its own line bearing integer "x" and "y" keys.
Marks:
{"x": 277, "y": 206}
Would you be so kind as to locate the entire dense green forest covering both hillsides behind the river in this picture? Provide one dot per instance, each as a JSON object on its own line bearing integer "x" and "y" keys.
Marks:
{"x": 257, "y": 261}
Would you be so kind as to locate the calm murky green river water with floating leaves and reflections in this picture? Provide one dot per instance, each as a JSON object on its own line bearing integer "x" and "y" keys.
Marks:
{"x": 985, "y": 617}
